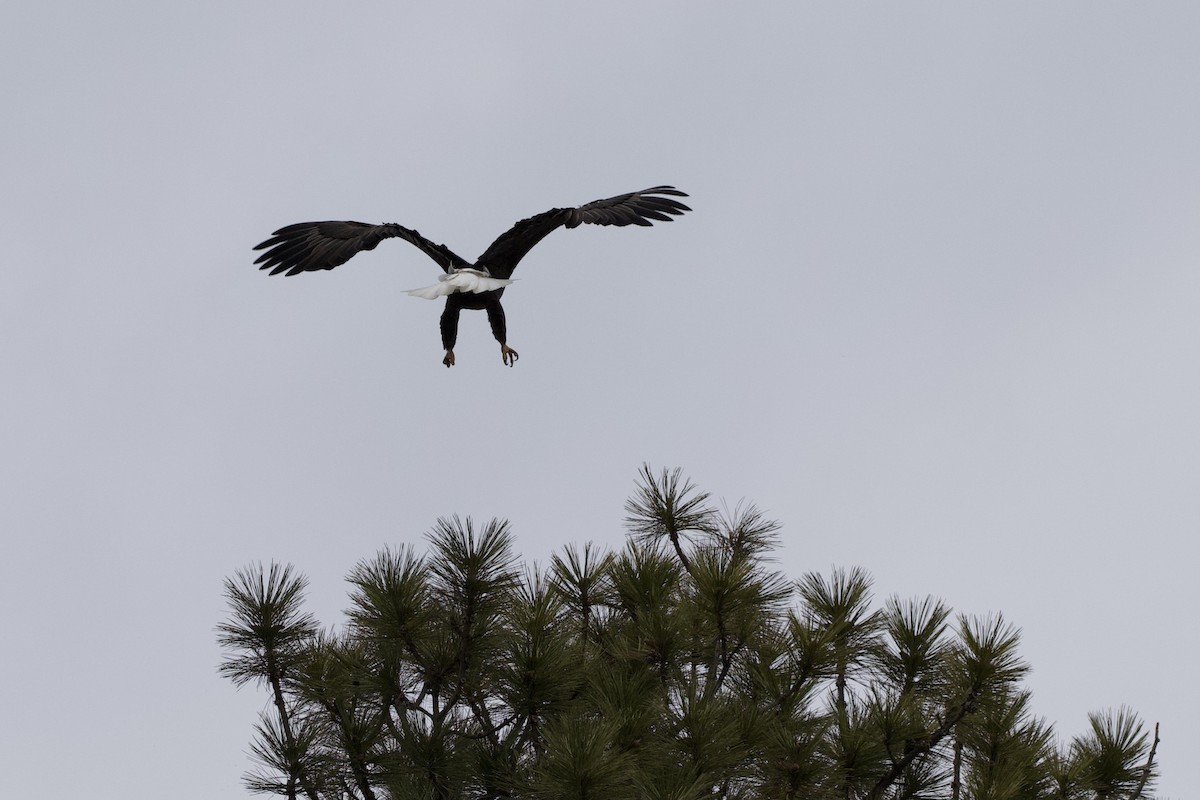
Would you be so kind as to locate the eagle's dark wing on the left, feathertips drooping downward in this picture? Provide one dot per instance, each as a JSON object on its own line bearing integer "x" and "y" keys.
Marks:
{"x": 309, "y": 246}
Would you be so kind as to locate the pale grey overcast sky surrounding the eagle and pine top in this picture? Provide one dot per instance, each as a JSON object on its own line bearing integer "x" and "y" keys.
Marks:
{"x": 935, "y": 311}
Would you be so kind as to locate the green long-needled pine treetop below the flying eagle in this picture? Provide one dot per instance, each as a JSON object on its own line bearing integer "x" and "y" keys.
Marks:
{"x": 681, "y": 667}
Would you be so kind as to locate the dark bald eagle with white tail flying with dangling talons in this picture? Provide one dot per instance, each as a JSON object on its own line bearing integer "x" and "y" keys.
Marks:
{"x": 310, "y": 246}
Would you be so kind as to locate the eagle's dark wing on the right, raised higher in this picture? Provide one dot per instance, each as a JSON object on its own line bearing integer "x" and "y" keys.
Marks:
{"x": 634, "y": 209}
